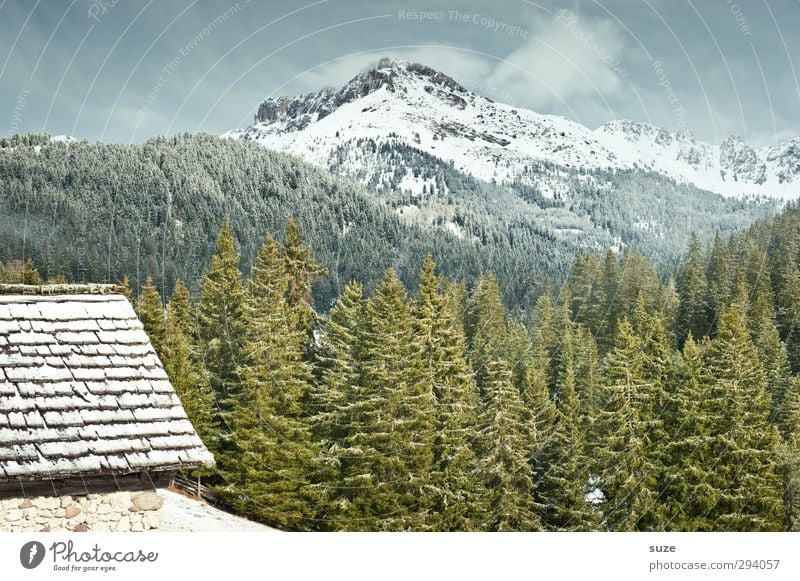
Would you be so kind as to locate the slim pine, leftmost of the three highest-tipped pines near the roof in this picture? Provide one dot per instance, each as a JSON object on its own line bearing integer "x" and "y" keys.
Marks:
{"x": 221, "y": 319}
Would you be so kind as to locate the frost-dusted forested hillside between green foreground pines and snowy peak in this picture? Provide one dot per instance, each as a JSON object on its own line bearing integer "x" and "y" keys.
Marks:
{"x": 103, "y": 211}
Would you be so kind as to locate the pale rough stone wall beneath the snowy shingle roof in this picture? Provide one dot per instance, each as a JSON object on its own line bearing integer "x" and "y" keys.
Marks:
{"x": 116, "y": 511}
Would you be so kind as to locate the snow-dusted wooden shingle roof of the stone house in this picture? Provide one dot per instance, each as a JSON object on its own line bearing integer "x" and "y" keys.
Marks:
{"x": 82, "y": 392}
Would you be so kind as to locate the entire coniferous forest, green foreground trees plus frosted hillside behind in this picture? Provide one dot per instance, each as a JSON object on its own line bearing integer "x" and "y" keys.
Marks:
{"x": 344, "y": 381}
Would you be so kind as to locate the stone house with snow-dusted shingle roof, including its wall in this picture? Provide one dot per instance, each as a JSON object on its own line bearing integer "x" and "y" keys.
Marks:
{"x": 90, "y": 426}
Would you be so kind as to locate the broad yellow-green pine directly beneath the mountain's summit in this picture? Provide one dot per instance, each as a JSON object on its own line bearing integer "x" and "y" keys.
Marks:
{"x": 391, "y": 452}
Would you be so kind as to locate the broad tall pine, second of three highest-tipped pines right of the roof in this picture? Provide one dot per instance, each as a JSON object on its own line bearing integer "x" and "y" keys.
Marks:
{"x": 271, "y": 470}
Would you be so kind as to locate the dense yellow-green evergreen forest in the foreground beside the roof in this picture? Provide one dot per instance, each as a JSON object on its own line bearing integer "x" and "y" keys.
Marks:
{"x": 625, "y": 402}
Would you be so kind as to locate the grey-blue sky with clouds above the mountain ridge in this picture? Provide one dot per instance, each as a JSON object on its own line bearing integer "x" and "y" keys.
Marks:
{"x": 128, "y": 70}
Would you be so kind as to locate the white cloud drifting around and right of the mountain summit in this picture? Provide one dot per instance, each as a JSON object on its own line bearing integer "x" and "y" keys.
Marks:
{"x": 564, "y": 59}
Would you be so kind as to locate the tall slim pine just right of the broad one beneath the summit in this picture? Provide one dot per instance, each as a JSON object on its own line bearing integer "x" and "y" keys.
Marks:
{"x": 446, "y": 369}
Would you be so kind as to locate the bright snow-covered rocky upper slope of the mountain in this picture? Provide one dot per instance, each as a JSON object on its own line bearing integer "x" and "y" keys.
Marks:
{"x": 408, "y": 103}
